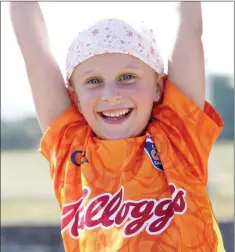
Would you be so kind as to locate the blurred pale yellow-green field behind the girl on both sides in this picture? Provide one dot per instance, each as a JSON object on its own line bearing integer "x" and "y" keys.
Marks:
{"x": 27, "y": 191}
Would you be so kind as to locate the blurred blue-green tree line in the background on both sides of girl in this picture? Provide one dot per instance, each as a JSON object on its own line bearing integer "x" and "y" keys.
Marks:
{"x": 26, "y": 134}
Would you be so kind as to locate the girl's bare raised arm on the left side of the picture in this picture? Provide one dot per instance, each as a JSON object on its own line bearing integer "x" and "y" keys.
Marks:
{"x": 46, "y": 81}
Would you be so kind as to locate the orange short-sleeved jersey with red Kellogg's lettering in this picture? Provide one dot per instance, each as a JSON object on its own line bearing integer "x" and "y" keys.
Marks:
{"x": 147, "y": 193}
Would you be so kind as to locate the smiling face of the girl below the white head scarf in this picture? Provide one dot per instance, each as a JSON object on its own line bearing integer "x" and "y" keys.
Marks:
{"x": 116, "y": 93}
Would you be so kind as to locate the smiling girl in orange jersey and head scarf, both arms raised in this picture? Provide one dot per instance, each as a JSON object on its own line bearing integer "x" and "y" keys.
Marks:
{"x": 128, "y": 147}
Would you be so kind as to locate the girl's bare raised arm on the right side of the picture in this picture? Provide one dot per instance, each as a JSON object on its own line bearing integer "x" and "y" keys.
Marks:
{"x": 186, "y": 62}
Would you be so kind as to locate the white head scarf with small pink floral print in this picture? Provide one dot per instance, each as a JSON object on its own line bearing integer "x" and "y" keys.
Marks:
{"x": 114, "y": 36}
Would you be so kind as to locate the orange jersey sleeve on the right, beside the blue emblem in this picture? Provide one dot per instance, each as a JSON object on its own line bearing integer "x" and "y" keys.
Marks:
{"x": 191, "y": 131}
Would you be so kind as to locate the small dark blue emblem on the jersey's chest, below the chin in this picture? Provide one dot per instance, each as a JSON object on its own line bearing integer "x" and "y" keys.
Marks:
{"x": 151, "y": 151}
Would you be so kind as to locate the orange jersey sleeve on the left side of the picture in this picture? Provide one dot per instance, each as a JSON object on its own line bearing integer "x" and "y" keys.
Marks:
{"x": 58, "y": 138}
